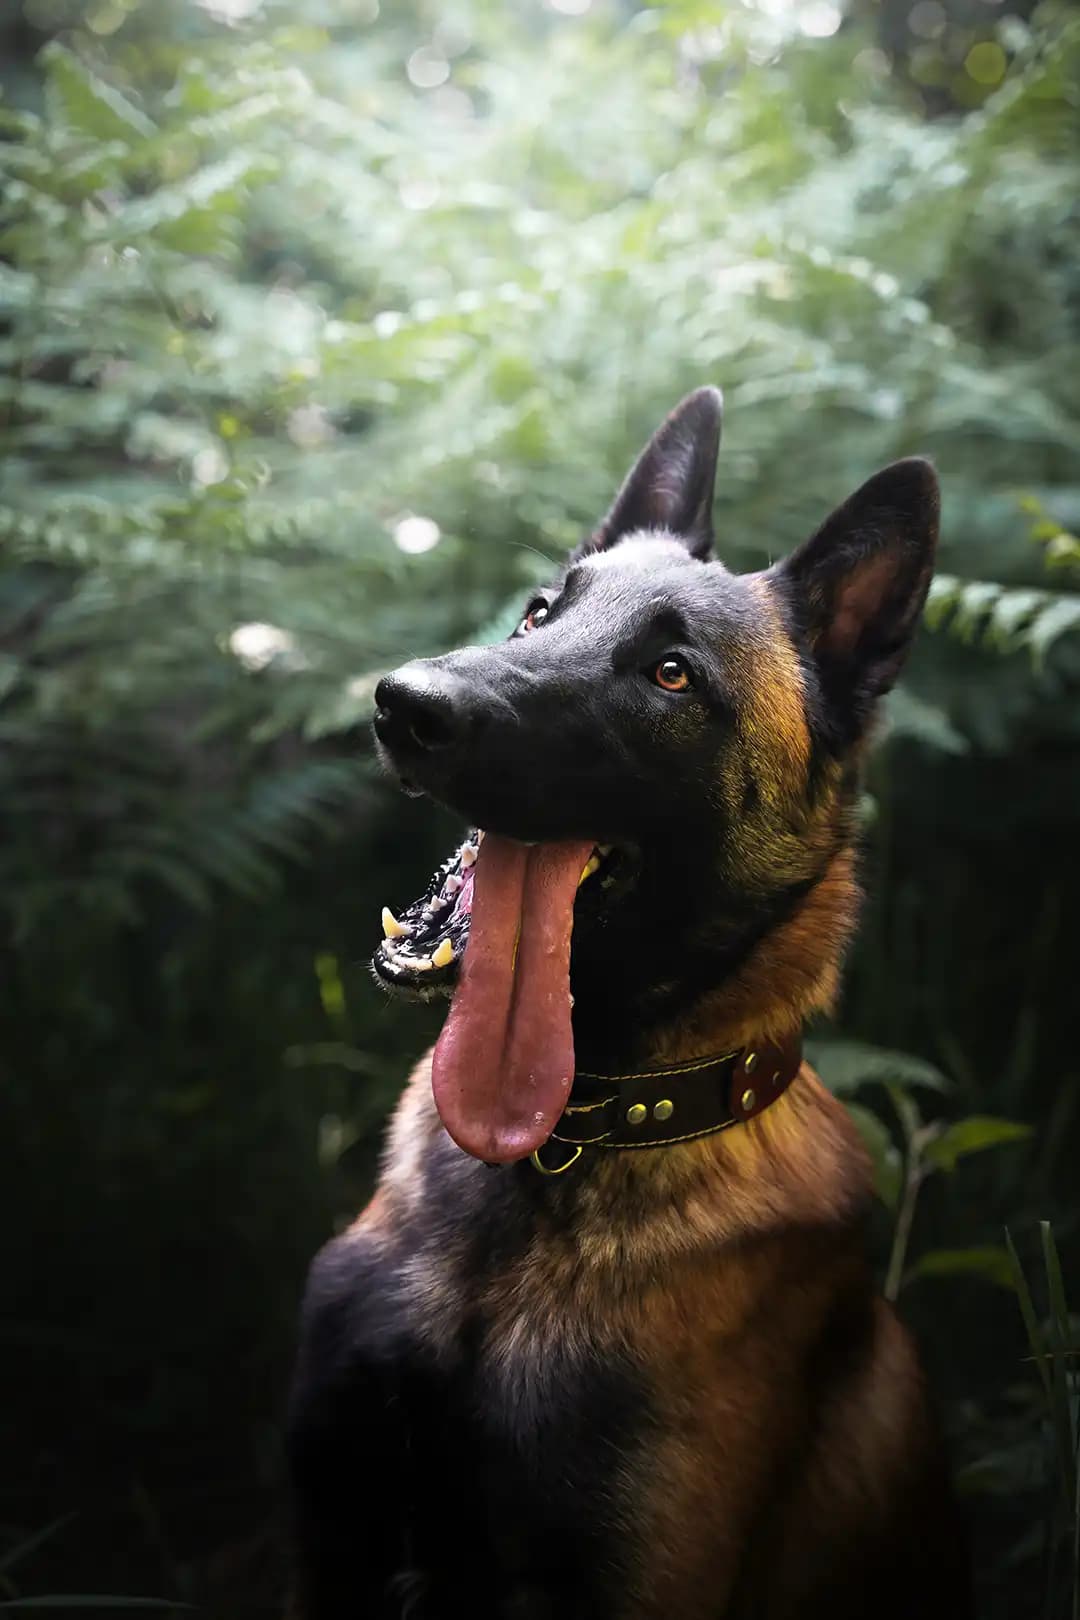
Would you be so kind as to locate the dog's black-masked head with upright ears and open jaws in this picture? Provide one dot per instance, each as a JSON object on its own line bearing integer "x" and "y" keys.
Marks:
{"x": 682, "y": 735}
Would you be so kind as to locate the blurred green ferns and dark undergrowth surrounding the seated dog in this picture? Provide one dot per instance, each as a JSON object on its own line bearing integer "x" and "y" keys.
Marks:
{"x": 323, "y": 333}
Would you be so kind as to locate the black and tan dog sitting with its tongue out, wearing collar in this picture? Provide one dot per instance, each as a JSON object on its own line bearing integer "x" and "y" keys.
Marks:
{"x": 605, "y": 1342}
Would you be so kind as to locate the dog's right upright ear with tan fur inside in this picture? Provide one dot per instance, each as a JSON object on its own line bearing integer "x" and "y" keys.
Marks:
{"x": 857, "y": 587}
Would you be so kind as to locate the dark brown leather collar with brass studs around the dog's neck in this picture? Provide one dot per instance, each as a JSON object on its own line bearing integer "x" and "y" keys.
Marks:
{"x": 661, "y": 1107}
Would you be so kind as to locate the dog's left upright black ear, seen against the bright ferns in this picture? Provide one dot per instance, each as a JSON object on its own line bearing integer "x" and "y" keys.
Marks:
{"x": 671, "y": 484}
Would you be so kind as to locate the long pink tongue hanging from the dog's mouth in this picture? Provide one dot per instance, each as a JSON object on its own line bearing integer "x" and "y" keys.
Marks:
{"x": 504, "y": 1062}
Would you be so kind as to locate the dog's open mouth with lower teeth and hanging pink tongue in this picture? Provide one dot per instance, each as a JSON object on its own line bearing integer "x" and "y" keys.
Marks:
{"x": 496, "y": 923}
